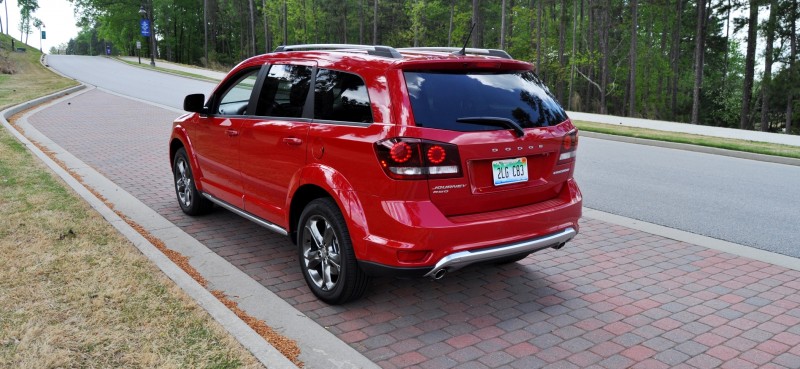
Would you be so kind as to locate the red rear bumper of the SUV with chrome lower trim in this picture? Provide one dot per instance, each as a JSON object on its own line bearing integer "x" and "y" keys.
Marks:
{"x": 414, "y": 236}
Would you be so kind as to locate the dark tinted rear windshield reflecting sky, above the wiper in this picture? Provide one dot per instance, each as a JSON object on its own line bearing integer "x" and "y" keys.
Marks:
{"x": 440, "y": 98}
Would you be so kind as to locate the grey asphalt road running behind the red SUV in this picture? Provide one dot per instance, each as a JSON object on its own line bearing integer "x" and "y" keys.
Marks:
{"x": 742, "y": 201}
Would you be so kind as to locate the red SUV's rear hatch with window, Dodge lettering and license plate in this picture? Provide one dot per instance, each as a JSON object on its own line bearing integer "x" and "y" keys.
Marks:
{"x": 514, "y": 142}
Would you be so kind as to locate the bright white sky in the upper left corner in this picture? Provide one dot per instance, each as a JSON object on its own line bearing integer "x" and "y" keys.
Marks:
{"x": 58, "y": 17}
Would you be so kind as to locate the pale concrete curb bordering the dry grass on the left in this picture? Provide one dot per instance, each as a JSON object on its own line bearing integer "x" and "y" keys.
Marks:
{"x": 264, "y": 352}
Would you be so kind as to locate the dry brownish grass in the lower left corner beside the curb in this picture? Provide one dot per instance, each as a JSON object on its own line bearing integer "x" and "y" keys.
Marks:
{"x": 75, "y": 293}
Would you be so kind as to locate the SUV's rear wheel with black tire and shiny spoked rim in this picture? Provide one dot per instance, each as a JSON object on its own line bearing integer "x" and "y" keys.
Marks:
{"x": 326, "y": 255}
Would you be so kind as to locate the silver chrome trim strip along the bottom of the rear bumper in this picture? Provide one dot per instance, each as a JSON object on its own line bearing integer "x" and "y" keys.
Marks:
{"x": 464, "y": 258}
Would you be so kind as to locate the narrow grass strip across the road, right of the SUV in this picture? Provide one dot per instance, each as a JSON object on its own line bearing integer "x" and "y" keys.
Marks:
{"x": 686, "y": 138}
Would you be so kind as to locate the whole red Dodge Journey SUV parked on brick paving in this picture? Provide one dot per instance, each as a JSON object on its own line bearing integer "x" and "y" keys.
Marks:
{"x": 383, "y": 161}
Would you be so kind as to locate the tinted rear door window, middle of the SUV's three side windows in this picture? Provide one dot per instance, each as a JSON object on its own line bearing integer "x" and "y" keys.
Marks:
{"x": 284, "y": 92}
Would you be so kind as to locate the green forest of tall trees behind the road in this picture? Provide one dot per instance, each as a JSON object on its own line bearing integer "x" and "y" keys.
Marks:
{"x": 676, "y": 60}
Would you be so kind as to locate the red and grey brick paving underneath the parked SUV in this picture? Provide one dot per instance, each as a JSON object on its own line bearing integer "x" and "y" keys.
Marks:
{"x": 613, "y": 298}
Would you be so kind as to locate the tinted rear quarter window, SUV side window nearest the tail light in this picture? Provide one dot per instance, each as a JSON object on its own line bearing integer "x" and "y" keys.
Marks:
{"x": 341, "y": 96}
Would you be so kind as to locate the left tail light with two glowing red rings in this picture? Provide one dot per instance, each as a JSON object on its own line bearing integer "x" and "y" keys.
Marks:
{"x": 412, "y": 158}
